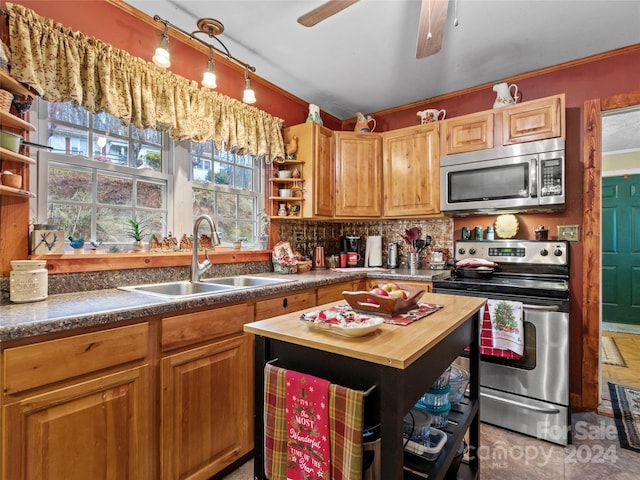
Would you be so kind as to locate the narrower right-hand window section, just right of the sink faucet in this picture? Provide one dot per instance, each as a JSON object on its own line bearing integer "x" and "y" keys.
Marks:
{"x": 227, "y": 188}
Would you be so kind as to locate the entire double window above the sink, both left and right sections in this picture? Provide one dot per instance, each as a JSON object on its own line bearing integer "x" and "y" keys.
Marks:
{"x": 99, "y": 173}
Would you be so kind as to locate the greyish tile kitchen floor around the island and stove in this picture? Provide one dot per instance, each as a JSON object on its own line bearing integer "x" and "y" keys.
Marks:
{"x": 594, "y": 455}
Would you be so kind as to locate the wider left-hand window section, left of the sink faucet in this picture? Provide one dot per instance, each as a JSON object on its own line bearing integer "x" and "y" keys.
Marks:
{"x": 99, "y": 174}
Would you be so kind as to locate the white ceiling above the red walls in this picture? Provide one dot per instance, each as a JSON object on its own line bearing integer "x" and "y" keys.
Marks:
{"x": 363, "y": 58}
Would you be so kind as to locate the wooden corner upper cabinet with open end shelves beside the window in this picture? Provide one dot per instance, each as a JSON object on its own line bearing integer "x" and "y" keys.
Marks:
{"x": 314, "y": 161}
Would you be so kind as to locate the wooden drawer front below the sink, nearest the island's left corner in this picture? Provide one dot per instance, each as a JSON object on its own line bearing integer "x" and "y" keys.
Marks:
{"x": 190, "y": 328}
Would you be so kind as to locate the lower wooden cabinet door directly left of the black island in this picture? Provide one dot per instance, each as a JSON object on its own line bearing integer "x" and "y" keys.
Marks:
{"x": 206, "y": 408}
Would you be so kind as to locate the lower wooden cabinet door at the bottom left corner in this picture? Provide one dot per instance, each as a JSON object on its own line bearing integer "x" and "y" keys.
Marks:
{"x": 99, "y": 428}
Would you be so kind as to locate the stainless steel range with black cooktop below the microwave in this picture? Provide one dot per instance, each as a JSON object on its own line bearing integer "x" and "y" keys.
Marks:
{"x": 528, "y": 393}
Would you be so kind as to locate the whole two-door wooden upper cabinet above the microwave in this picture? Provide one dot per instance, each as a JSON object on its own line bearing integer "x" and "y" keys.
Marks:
{"x": 523, "y": 122}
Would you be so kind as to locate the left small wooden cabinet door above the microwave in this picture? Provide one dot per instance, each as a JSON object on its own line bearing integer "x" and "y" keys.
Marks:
{"x": 467, "y": 133}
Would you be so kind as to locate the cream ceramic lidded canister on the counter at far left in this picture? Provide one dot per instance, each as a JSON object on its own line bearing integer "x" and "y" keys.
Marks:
{"x": 28, "y": 281}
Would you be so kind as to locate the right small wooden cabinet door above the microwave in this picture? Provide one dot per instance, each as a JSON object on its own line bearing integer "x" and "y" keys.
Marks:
{"x": 534, "y": 120}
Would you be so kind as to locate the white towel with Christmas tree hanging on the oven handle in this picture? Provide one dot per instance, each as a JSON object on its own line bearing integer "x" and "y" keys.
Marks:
{"x": 507, "y": 329}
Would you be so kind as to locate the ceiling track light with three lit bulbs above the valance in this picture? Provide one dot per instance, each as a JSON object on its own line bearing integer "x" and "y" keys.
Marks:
{"x": 210, "y": 27}
